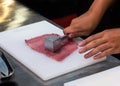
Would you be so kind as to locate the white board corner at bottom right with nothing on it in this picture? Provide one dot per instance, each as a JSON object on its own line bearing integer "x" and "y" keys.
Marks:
{"x": 110, "y": 77}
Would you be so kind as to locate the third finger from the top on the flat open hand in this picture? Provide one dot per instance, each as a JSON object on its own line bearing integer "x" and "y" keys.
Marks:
{"x": 97, "y": 50}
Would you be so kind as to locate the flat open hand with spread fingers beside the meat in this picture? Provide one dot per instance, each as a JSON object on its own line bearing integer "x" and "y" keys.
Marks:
{"x": 102, "y": 44}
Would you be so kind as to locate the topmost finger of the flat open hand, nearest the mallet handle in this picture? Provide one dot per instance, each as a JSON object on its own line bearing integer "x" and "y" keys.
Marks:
{"x": 91, "y": 38}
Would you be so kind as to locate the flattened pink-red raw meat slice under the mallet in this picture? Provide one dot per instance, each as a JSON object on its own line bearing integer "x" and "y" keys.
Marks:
{"x": 37, "y": 44}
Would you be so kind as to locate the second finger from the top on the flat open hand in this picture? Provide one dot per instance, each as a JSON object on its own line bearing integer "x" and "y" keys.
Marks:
{"x": 92, "y": 44}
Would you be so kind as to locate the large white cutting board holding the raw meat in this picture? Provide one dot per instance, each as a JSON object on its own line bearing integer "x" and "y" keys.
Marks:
{"x": 46, "y": 68}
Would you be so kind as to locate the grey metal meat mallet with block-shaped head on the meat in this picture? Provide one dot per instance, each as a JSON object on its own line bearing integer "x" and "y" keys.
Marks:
{"x": 54, "y": 42}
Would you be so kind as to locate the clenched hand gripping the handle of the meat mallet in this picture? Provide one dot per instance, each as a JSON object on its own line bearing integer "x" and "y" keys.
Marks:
{"x": 82, "y": 25}
